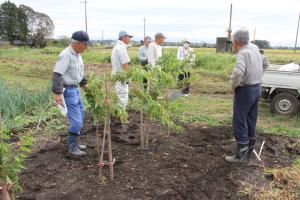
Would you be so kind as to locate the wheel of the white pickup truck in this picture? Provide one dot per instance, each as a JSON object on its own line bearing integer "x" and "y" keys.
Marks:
{"x": 285, "y": 103}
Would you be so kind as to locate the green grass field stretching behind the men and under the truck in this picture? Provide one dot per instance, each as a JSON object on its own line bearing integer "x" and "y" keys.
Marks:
{"x": 210, "y": 102}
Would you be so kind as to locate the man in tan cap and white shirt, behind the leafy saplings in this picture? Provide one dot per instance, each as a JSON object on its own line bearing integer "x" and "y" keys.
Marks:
{"x": 154, "y": 49}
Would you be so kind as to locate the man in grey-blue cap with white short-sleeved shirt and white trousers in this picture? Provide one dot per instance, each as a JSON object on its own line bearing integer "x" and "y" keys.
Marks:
{"x": 120, "y": 61}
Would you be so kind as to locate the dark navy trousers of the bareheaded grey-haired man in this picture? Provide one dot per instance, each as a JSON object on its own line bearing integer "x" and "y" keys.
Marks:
{"x": 245, "y": 111}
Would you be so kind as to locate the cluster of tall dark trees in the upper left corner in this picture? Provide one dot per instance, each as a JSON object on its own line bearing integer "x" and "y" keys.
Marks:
{"x": 24, "y": 26}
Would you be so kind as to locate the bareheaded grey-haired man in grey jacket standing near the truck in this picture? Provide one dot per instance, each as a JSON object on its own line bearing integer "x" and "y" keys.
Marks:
{"x": 245, "y": 82}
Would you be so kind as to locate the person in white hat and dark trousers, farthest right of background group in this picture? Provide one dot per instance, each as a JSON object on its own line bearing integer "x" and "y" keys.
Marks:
{"x": 185, "y": 55}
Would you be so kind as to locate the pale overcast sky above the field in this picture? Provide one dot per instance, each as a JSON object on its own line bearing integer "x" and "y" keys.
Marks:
{"x": 197, "y": 20}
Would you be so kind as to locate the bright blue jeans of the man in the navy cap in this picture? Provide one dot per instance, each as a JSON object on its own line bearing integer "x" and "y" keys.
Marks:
{"x": 75, "y": 109}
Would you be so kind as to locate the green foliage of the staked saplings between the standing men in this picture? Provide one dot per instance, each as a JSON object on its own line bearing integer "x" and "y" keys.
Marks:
{"x": 160, "y": 78}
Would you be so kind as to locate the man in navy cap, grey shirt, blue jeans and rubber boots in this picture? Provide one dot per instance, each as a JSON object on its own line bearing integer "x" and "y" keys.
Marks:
{"x": 68, "y": 76}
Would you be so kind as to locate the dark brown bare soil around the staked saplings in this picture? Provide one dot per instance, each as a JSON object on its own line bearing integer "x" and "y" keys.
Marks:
{"x": 187, "y": 166}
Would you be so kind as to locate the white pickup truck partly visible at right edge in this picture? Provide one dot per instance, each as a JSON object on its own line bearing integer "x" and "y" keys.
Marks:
{"x": 282, "y": 89}
